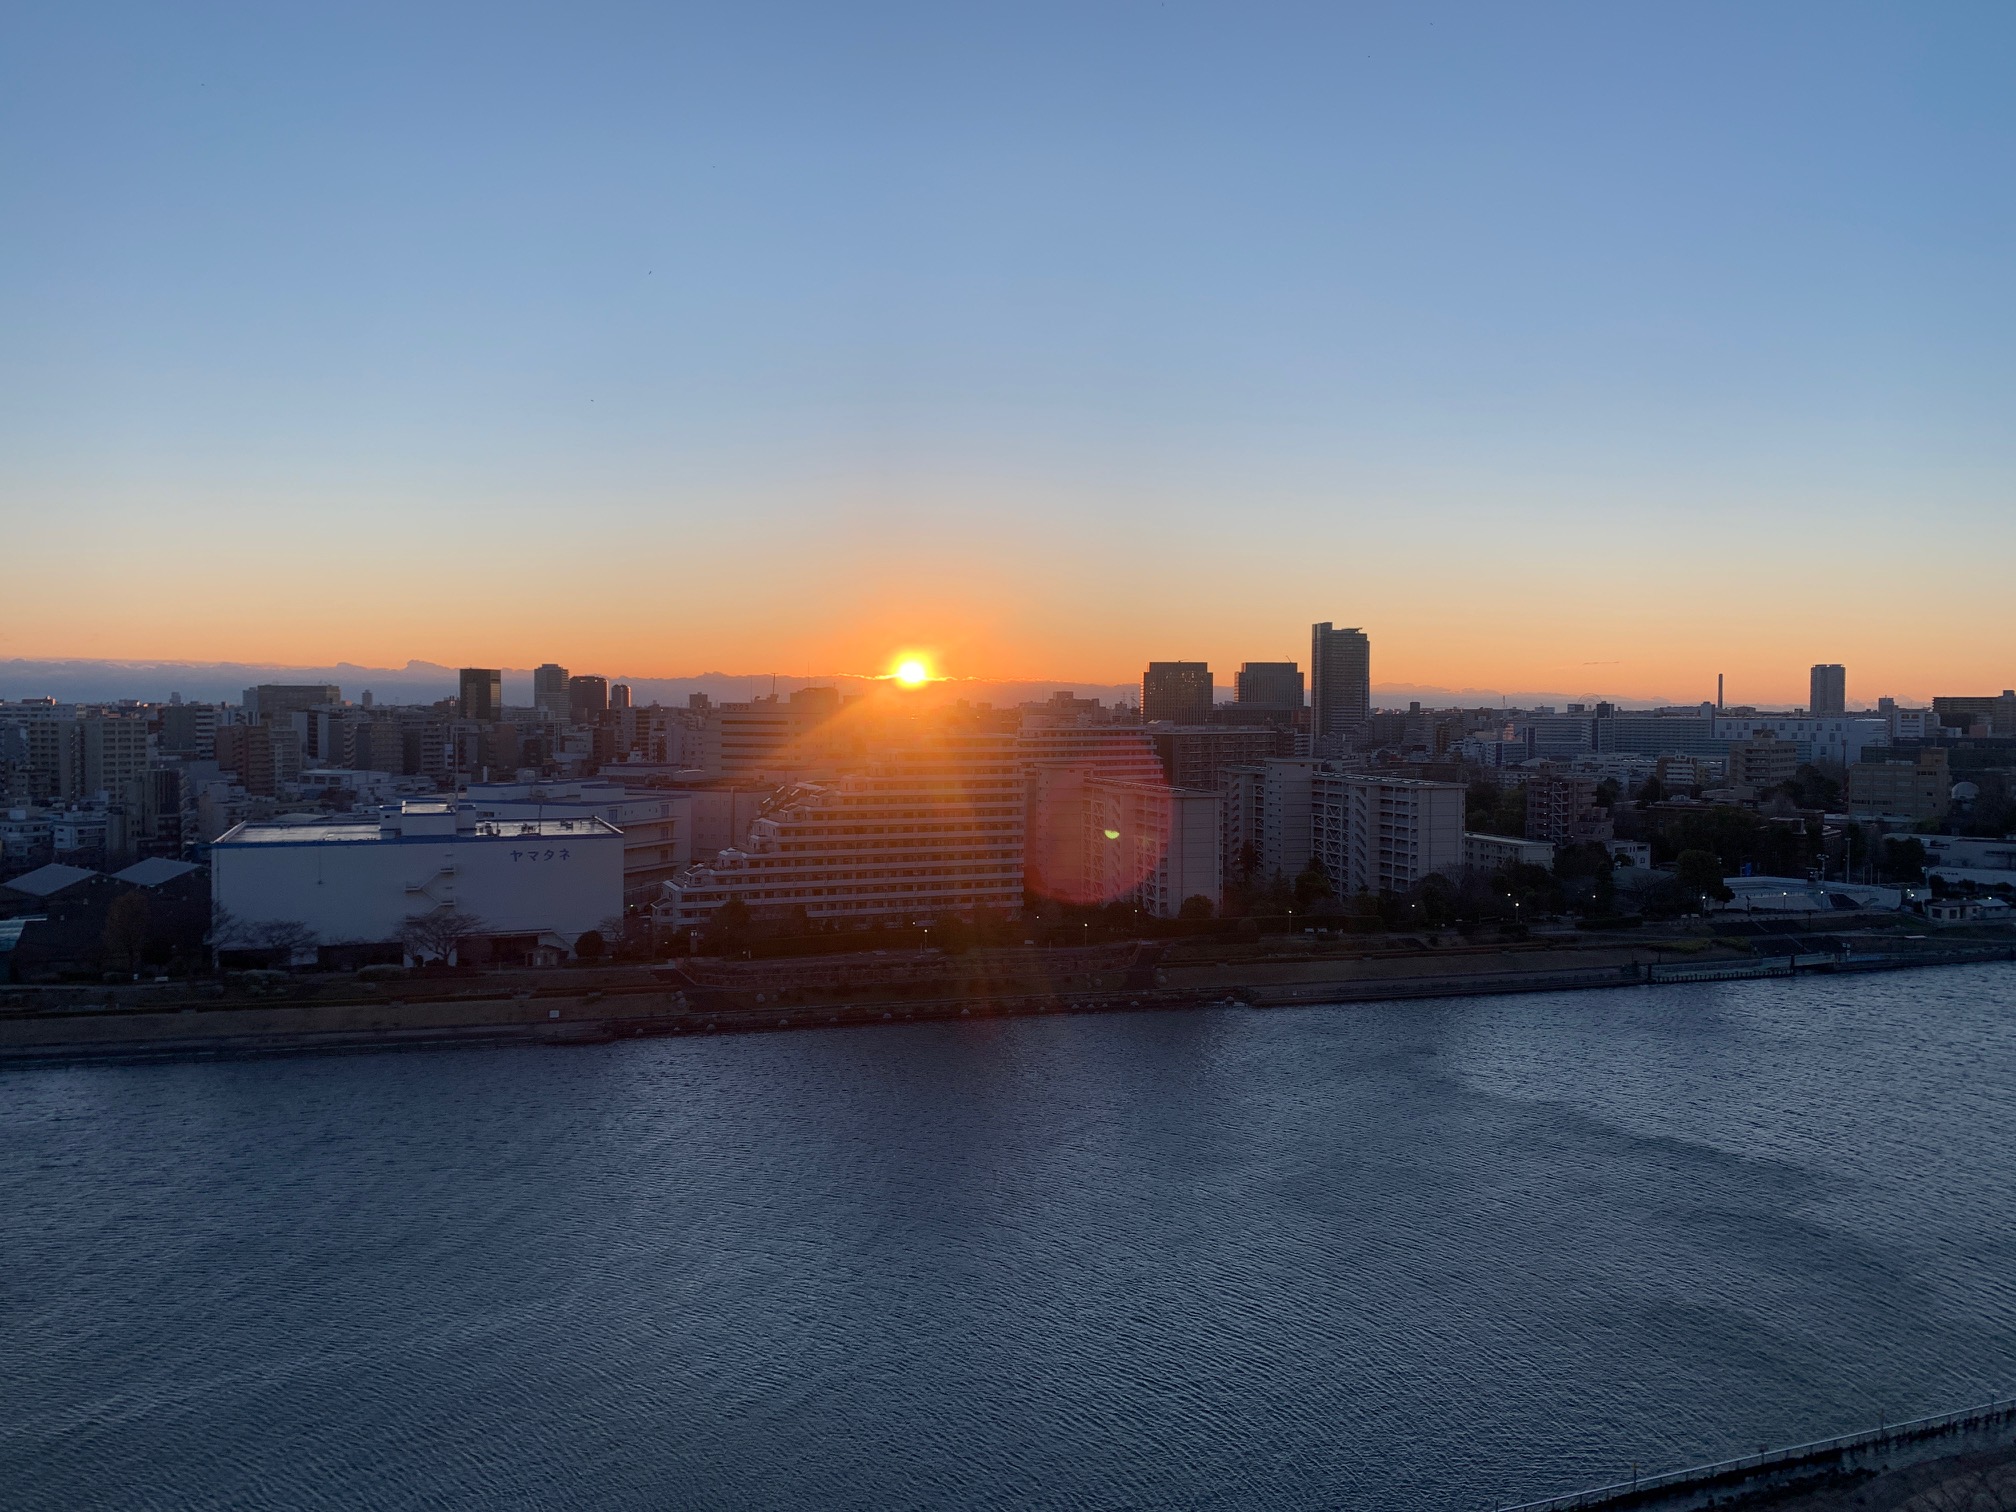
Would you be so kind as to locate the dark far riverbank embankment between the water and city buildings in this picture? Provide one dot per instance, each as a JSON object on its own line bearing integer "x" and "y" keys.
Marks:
{"x": 271, "y": 1013}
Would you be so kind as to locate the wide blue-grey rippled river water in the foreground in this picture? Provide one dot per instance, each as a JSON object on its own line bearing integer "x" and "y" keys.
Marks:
{"x": 1378, "y": 1257}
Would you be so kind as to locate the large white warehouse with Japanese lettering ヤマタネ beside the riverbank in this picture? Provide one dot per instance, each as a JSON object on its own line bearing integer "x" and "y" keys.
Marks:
{"x": 535, "y": 884}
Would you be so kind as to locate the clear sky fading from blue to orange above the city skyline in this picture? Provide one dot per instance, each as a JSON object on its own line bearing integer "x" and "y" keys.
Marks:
{"x": 1580, "y": 348}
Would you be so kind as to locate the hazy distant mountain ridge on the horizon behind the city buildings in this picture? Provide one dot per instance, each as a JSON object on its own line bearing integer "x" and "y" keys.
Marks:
{"x": 424, "y": 682}
